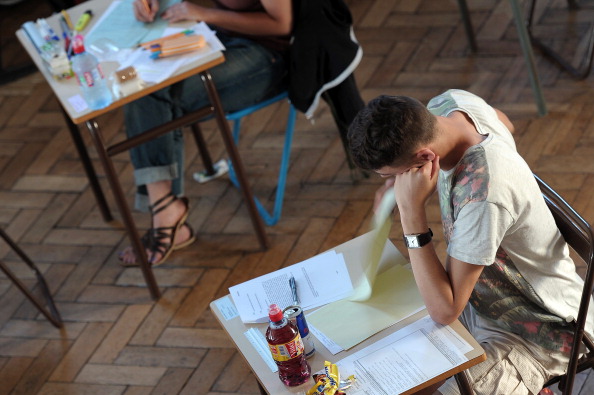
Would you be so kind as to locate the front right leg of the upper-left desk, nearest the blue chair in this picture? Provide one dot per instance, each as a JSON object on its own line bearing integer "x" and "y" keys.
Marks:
{"x": 235, "y": 159}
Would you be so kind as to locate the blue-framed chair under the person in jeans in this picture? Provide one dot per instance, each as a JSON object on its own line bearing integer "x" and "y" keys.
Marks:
{"x": 269, "y": 218}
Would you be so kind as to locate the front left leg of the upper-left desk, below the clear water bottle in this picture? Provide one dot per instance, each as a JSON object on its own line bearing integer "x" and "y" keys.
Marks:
{"x": 120, "y": 198}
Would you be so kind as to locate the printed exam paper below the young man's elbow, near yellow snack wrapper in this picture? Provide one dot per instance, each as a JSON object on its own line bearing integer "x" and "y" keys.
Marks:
{"x": 404, "y": 359}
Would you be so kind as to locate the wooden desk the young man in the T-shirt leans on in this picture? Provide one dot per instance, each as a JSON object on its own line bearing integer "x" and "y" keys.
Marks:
{"x": 353, "y": 252}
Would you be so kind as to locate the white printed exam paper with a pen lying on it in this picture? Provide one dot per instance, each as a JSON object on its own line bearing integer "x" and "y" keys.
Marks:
{"x": 320, "y": 280}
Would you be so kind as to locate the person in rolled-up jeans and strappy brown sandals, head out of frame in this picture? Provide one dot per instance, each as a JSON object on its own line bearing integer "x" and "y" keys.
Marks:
{"x": 256, "y": 37}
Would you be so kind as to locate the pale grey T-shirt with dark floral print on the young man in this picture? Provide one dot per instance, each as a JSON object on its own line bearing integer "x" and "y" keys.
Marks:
{"x": 494, "y": 215}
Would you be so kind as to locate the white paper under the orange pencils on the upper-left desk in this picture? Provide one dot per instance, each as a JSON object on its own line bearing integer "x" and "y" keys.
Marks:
{"x": 154, "y": 71}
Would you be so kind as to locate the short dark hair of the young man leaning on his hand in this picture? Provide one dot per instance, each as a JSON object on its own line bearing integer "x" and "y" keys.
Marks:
{"x": 388, "y": 130}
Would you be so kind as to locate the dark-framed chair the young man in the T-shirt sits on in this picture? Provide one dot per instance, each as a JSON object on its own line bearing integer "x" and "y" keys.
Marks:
{"x": 578, "y": 234}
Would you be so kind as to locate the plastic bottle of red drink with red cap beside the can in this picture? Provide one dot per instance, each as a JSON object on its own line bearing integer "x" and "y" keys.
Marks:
{"x": 286, "y": 347}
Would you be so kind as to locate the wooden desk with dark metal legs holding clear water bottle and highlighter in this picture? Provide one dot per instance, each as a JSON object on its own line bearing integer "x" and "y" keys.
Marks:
{"x": 66, "y": 88}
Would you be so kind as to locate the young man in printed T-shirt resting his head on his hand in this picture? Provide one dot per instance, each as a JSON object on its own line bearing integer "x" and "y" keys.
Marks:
{"x": 508, "y": 276}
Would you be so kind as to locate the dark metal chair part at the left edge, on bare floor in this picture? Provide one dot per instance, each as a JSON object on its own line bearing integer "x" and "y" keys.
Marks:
{"x": 52, "y": 314}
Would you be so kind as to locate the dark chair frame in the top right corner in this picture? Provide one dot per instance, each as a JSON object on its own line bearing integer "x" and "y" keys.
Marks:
{"x": 549, "y": 52}
